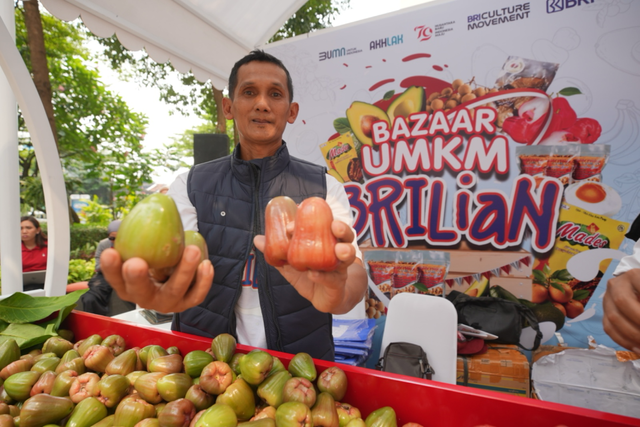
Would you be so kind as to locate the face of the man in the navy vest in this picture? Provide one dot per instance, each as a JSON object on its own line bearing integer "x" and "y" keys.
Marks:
{"x": 260, "y": 105}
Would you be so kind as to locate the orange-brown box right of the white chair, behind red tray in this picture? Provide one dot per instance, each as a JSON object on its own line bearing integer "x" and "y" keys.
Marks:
{"x": 502, "y": 368}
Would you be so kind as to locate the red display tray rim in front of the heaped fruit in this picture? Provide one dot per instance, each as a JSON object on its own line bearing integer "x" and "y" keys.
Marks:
{"x": 429, "y": 403}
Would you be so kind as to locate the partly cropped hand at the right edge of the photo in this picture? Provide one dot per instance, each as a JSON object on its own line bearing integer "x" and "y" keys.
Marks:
{"x": 621, "y": 306}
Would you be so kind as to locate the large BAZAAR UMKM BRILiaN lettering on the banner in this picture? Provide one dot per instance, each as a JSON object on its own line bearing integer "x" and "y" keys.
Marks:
{"x": 426, "y": 143}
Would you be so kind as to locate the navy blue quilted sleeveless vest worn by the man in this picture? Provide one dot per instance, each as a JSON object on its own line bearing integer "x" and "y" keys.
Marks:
{"x": 230, "y": 196}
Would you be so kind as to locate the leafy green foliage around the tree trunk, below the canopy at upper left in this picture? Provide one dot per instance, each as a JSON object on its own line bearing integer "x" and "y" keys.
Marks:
{"x": 99, "y": 137}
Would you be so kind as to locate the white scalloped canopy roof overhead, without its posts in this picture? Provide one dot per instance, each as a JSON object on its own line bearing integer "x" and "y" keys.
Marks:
{"x": 204, "y": 36}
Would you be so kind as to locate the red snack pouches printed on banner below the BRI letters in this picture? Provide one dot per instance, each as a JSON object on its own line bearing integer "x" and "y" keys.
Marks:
{"x": 394, "y": 272}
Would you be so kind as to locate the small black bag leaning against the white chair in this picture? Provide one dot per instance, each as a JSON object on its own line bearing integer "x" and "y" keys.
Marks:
{"x": 406, "y": 359}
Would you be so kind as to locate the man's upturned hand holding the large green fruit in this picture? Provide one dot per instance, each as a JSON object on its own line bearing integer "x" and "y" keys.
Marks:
{"x": 132, "y": 282}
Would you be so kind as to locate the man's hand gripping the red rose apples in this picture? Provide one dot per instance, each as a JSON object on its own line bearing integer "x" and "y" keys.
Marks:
{"x": 336, "y": 291}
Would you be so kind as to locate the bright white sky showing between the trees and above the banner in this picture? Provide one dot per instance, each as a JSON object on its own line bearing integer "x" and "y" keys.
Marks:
{"x": 163, "y": 125}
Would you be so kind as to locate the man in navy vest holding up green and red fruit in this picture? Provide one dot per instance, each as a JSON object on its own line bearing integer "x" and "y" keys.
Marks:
{"x": 279, "y": 308}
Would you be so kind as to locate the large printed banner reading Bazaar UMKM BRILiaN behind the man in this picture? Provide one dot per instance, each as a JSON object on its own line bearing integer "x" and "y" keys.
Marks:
{"x": 503, "y": 133}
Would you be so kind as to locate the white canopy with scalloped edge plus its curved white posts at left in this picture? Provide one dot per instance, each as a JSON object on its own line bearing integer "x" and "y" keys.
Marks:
{"x": 205, "y": 37}
